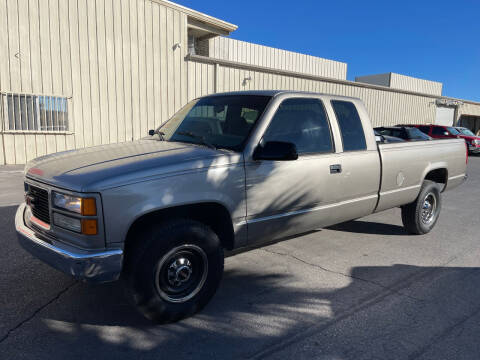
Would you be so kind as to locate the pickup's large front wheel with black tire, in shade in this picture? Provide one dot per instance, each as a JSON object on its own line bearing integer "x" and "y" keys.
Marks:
{"x": 166, "y": 255}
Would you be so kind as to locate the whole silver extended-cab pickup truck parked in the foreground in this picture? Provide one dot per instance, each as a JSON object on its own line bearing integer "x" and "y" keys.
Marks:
{"x": 227, "y": 171}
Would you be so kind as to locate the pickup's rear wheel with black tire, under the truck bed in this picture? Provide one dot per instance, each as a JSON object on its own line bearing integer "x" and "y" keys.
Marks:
{"x": 416, "y": 216}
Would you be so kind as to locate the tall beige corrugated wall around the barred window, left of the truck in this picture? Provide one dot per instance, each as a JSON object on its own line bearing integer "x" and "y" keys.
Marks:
{"x": 114, "y": 59}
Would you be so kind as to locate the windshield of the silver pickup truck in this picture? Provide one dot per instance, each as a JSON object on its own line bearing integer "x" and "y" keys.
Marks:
{"x": 219, "y": 121}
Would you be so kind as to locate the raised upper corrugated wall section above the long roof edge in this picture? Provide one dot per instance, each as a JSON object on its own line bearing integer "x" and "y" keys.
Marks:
{"x": 254, "y": 54}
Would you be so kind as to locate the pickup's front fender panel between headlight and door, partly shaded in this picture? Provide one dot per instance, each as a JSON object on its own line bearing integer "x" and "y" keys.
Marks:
{"x": 124, "y": 205}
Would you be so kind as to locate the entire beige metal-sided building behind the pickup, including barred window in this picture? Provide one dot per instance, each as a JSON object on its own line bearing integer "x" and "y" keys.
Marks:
{"x": 78, "y": 73}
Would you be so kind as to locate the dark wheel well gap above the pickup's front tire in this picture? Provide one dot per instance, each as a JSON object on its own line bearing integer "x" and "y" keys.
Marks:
{"x": 214, "y": 215}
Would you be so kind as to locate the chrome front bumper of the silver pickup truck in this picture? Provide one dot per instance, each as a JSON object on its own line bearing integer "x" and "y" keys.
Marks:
{"x": 95, "y": 266}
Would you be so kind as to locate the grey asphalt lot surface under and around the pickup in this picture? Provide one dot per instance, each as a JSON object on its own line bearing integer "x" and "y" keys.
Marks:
{"x": 360, "y": 290}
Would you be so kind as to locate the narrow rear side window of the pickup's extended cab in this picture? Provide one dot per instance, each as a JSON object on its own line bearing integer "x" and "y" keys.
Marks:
{"x": 350, "y": 124}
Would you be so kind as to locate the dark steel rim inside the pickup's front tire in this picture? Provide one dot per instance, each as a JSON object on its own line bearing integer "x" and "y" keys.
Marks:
{"x": 181, "y": 273}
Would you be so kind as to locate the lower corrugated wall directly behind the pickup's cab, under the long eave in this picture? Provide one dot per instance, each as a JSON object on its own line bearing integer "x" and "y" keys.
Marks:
{"x": 385, "y": 107}
